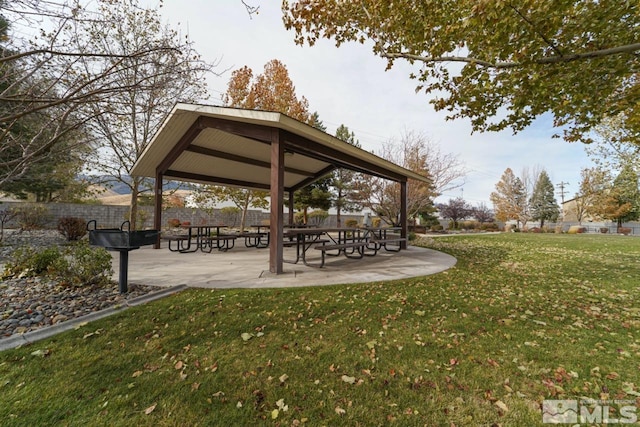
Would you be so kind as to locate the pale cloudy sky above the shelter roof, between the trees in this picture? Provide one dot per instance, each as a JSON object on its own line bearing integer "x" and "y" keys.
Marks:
{"x": 349, "y": 85}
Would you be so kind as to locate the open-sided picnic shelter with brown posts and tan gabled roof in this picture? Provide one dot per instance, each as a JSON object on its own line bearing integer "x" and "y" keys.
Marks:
{"x": 254, "y": 149}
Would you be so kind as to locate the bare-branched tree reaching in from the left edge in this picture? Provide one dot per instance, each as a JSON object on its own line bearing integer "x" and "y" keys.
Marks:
{"x": 54, "y": 63}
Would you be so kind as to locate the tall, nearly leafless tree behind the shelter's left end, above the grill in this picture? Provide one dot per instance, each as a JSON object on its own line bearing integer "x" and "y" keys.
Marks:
{"x": 126, "y": 122}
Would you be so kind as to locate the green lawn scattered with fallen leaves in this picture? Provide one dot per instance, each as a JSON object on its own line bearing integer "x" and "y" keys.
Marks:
{"x": 521, "y": 318}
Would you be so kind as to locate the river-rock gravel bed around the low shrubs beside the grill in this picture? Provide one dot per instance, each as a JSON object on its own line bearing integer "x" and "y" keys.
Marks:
{"x": 30, "y": 303}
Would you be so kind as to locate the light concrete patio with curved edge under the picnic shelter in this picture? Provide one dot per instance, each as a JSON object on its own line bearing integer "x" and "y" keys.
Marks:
{"x": 243, "y": 267}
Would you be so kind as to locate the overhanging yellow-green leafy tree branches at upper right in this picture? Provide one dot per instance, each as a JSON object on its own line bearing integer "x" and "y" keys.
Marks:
{"x": 500, "y": 64}
